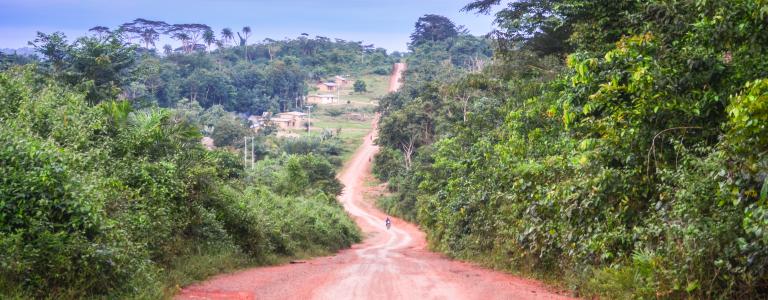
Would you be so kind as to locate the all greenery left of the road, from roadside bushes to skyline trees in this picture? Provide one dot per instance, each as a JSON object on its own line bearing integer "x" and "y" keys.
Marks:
{"x": 107, "y": 191}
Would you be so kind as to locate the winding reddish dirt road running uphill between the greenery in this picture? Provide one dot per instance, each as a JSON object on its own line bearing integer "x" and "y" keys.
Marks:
{"x": 388, "y": 264}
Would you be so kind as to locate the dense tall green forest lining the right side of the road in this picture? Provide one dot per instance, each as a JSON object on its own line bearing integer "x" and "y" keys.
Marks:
{"x": 615, "y": 148}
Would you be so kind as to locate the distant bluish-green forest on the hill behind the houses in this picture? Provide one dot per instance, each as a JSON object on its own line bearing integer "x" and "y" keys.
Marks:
{"x": 209, "y": 68}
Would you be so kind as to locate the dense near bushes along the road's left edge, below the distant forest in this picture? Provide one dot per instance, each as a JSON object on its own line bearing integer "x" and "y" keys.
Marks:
{"x": 108, "y": 201}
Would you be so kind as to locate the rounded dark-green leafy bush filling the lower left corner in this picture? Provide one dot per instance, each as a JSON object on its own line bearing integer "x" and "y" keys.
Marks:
{"x": 51, "y": 223}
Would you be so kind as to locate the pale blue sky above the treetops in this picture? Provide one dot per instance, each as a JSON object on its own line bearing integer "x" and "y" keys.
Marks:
{"x": 385, "y": 23}
